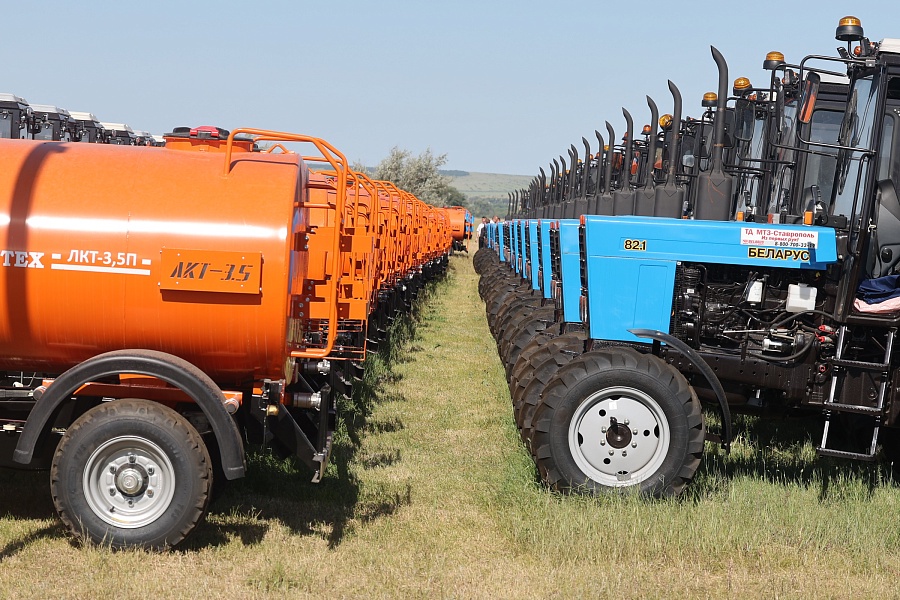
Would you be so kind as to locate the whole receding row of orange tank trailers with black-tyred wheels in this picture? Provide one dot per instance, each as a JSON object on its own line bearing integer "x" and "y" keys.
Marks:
{"x": 163, "y": 306}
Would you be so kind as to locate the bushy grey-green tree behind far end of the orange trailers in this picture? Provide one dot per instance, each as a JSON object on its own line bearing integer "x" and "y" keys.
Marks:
{"x": 419, "y": 175}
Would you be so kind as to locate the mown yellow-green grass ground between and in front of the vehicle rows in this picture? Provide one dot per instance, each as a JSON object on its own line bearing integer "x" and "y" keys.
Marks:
{"x": 431, "y": 494}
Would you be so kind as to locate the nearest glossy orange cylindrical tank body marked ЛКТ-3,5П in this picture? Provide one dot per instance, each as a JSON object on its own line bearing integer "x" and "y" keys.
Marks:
{"x": 111, "y": 247}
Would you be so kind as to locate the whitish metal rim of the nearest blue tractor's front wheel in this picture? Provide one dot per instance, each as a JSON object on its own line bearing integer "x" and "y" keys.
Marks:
{"x": 619, "y": 436}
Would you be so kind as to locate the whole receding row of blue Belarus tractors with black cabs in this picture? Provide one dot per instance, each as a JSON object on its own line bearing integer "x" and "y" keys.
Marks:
{"x": 745, "y": 261}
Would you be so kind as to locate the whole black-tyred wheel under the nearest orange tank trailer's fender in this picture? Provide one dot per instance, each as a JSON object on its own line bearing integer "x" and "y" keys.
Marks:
{"x": 131, "y": 473}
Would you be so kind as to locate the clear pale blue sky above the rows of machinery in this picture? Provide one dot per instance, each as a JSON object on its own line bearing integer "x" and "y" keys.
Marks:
{"x": 499, "y": 86}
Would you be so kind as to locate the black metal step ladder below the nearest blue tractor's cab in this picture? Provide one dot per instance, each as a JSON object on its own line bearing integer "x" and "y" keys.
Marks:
{"x": 831, "y": 406}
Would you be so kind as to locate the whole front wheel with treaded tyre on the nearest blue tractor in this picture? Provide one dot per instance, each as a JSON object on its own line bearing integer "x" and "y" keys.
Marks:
{"x": 618, "y": 419}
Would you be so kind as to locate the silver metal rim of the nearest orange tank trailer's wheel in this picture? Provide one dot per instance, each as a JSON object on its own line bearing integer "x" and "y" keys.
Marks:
{"x": 128, "y": 482}
